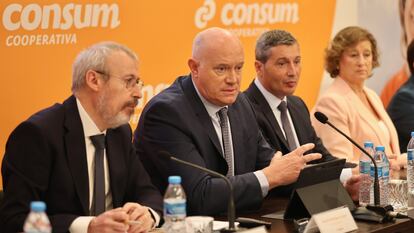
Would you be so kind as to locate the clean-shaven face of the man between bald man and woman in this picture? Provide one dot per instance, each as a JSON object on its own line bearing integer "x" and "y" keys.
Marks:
{"x": 280, "y": 73}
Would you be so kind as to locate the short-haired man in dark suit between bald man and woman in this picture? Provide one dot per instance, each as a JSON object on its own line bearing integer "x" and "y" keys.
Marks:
{"x": 278, "y": 66}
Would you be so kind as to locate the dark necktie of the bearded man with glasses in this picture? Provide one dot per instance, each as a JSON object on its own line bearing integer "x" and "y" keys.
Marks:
{"x": 98, "y": 201}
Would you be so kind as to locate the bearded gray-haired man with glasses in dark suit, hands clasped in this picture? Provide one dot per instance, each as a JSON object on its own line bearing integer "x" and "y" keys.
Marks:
{"x": 52, "y": 156}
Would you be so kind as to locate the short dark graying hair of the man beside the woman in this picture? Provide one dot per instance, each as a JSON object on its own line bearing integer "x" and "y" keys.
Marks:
{"x": 271, "y": 39}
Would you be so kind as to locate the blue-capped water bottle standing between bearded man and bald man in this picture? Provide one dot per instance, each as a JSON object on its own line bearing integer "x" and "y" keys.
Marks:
{"x": 174, "y": 206}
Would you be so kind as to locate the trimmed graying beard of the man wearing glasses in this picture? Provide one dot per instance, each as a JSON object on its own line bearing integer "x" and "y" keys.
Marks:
{"x": 111, "y": 118}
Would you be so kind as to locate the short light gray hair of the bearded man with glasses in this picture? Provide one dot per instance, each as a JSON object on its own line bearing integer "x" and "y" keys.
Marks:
{"x": 94, "y": 58}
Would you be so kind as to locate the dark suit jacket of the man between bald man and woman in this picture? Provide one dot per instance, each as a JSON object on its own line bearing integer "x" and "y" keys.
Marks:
{"x": 301, "y": 121}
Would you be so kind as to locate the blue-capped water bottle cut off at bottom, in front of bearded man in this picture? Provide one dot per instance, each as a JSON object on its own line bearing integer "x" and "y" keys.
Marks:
{"x": 37, "y": 220}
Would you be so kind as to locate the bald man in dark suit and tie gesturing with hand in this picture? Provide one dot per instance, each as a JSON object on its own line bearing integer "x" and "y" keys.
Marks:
{"x": 201, "y": 118}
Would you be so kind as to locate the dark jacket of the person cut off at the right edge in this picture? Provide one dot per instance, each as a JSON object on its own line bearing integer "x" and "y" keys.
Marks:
{"x": 401, "y": 111}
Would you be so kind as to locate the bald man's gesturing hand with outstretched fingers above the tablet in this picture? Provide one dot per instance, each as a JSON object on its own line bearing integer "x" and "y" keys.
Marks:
{"x": 285, "y": 170}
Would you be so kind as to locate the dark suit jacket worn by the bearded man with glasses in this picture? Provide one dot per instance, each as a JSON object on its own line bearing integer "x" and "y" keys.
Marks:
{"x": 45, "y": 159}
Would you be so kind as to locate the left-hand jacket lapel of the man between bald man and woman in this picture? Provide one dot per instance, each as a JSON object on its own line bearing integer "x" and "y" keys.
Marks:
{"x": 264, "y": 107}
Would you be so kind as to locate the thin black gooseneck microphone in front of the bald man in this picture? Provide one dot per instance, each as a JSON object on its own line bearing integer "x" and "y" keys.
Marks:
{"x": 231, "y": 210}
